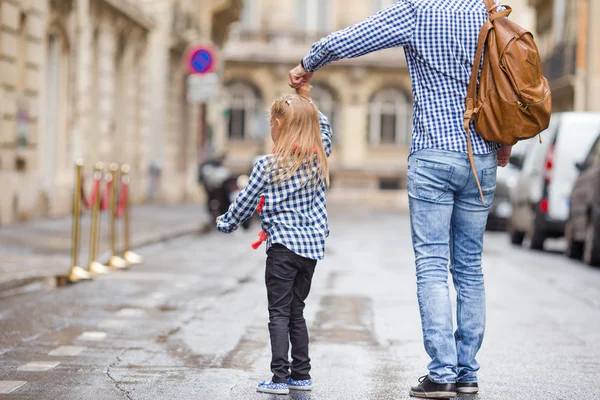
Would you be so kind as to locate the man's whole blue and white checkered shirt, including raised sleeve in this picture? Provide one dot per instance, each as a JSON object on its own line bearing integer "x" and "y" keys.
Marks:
{"x": 440, "y": 40}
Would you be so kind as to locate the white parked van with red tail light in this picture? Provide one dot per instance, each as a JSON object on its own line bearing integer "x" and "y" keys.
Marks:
{"x": 541, "y": 197}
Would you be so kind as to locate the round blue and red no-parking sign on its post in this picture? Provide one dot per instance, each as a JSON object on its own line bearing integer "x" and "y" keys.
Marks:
{"x": 203, "y": 83}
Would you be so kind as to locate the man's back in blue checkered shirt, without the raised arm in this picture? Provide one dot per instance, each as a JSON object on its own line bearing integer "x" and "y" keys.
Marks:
{"x": 440, "y": 58}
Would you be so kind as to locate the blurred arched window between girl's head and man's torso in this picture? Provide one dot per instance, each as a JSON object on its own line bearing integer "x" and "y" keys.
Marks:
{"x": 390, "y": 118}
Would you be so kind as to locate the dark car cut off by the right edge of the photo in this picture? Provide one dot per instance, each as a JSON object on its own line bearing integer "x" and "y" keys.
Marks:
{"x": 583, "y": 226}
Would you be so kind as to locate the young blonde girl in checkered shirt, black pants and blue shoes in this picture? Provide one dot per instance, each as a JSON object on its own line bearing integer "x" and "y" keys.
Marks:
{"x": 290, "y": 186}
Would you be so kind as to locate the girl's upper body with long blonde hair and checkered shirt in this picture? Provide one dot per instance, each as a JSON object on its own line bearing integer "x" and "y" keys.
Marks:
{"x": 292, "y": 180}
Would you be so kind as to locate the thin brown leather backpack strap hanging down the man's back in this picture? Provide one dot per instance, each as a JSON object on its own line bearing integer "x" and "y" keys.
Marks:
{"x": 472, "y": 96}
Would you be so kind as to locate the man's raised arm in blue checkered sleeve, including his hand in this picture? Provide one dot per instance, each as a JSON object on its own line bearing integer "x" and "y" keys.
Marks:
{"x": 392, "y": 27}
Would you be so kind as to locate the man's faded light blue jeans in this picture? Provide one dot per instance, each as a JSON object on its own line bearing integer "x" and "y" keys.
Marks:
{"x": 448, "y": 222}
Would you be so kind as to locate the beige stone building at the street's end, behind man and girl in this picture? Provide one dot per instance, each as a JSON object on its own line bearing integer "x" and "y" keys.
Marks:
{"x": 369, "y": 99}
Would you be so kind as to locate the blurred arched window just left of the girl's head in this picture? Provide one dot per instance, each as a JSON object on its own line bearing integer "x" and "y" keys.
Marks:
{"x": 244, "y": 105}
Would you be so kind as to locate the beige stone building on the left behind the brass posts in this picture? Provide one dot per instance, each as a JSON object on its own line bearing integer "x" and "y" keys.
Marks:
{"x": 102, "y": 80}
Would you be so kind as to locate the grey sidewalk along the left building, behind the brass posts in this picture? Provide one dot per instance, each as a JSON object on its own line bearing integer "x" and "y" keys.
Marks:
{"x": 42, "y": 248}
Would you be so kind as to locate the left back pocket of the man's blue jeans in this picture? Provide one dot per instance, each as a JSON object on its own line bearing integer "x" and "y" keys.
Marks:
{"x": 432, "y": 179}
